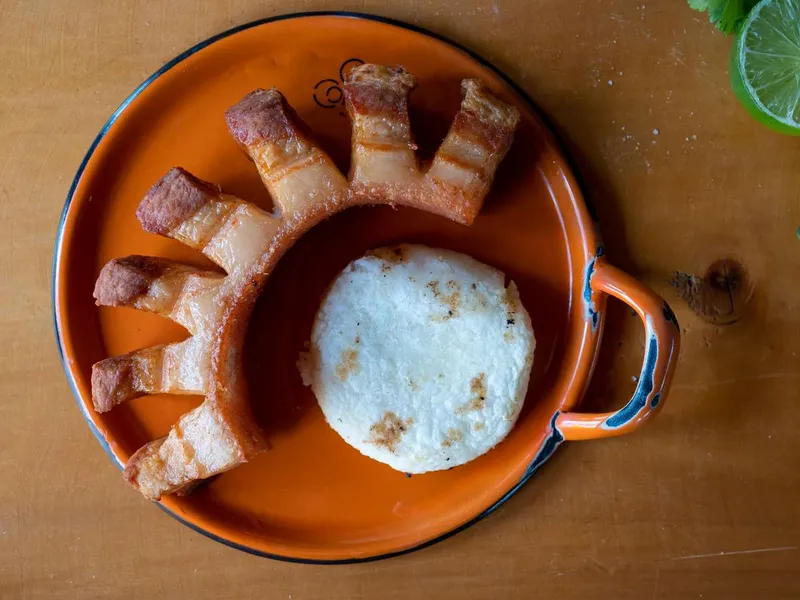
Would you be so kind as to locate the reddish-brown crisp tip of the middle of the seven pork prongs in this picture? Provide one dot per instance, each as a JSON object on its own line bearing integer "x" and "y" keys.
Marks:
{"x": 176, "y": 197}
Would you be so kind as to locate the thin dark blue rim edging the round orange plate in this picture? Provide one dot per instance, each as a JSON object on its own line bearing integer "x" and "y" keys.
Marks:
{"x": 551, "y": 442}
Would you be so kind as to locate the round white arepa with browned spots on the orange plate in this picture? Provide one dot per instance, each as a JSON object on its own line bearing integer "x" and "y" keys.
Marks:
{"x": 420, "y": 357}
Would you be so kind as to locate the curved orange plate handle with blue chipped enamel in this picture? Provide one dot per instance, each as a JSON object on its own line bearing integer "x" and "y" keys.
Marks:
{"x": 662, "y": 336}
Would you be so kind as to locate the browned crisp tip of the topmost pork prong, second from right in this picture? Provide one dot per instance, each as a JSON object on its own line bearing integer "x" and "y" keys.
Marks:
{"x": 378, "y": 91}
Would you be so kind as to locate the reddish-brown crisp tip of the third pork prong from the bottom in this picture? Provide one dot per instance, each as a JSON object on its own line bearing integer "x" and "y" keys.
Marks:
{"x": 124, "y": 279}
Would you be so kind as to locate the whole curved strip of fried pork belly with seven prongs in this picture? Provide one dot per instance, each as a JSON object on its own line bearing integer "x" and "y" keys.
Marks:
{"x": 247, "y": 242}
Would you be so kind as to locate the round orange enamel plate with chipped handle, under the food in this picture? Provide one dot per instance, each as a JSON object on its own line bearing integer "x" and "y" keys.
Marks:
{"x": 311, "y": 496}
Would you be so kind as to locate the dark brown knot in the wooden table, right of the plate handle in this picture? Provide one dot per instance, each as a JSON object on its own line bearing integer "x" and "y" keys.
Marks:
{"x": 720, "y": 295}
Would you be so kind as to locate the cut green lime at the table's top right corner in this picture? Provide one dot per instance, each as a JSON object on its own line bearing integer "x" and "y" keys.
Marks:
{"x": 765, "y": 64}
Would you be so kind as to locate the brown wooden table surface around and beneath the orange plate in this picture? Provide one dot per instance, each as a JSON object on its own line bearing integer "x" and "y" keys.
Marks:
{"x": 703, "y": 503}
